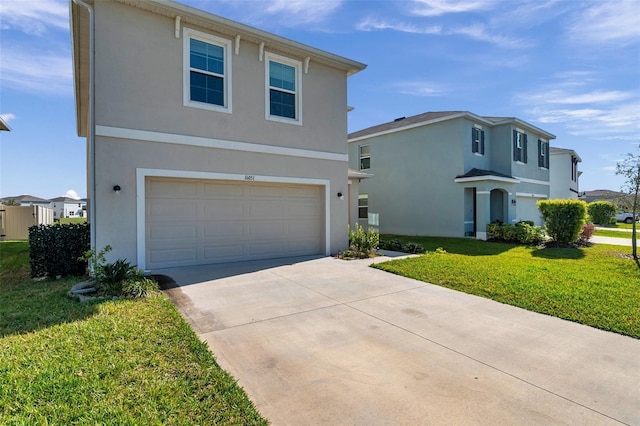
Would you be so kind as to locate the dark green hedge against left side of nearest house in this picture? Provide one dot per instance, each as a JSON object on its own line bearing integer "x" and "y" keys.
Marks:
{"x": 55, "y": 249}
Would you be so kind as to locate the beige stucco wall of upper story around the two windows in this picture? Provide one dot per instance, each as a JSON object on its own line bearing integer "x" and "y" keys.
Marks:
{"x": 141, "y": 87}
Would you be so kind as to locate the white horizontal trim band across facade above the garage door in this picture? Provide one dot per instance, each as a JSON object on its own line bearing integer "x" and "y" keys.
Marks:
{"x": 159, "y": 137}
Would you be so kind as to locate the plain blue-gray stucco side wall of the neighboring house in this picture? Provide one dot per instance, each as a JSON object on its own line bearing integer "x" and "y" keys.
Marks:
{"x": 412, "y": 188}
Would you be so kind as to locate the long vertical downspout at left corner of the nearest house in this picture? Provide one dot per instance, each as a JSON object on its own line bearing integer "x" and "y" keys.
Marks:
{"x": 91, "y": 131}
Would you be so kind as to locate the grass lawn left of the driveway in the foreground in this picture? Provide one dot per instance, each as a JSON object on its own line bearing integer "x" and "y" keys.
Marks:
{"x": 114, "y": 362}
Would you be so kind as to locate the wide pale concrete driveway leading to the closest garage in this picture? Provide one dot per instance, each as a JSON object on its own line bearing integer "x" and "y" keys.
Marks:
{"x": 325, "y": 341}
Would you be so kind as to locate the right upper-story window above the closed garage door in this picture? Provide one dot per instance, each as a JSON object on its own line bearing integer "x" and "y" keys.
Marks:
{"x": 283, "y": 89}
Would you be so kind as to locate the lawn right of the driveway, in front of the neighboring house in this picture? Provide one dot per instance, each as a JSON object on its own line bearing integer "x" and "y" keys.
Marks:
{"x": 595, "y": 286}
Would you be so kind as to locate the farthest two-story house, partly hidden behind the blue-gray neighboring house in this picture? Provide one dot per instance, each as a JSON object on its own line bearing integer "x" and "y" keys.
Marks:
{"x": 563, "y": 173}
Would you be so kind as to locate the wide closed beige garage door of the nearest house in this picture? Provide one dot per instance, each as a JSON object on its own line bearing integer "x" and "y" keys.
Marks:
{"x": 194, "y": 222}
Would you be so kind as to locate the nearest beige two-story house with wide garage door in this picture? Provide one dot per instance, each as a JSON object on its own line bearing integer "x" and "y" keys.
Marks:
{"x": 208, "y": 140}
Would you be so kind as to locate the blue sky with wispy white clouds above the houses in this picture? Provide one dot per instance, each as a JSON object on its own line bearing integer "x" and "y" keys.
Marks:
{"x": 569, "y": 67}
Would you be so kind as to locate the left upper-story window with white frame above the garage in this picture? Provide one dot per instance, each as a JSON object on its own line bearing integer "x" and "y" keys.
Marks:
{"x": 207, "y": 71}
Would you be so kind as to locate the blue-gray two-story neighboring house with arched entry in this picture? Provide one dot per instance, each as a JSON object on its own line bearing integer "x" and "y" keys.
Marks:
{"x": 450, "y": 173}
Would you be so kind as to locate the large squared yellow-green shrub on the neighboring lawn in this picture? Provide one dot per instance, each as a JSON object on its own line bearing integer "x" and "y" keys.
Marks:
{"x": 563, "y": 219}
